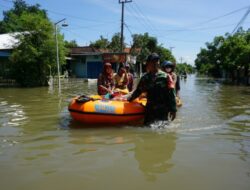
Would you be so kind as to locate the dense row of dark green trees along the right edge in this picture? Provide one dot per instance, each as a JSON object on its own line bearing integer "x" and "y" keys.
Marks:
{"x": 226, "y": 56}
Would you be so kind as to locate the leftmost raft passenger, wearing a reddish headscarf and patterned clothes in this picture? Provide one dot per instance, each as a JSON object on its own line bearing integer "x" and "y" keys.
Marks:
{"x": 105, "y": 82}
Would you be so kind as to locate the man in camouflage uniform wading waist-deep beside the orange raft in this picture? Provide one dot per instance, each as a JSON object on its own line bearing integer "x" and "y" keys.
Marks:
{"x": 160, "y": 94}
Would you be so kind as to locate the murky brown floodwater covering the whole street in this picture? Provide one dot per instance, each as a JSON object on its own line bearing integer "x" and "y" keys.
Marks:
{"x": 206, "y": 147}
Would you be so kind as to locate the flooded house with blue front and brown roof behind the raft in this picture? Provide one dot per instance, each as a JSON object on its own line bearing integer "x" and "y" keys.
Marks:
{"x": 87, "y": 62}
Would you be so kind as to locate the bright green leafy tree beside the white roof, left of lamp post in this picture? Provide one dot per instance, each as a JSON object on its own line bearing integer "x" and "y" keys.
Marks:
{"x": 35, "y": 53}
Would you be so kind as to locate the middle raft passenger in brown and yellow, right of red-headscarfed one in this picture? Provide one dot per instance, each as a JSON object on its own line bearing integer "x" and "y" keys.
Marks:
{"x": 121, "y": 80}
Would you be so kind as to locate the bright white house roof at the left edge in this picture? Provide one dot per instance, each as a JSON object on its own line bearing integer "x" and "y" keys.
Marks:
{"x": 8, "y": 41}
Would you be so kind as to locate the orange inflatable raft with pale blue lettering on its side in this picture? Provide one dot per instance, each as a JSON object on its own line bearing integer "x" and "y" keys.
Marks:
{"x": 96, "y": 110}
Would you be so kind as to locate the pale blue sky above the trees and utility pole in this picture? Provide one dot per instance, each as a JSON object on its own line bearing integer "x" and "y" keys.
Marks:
{"x": 183, "y": 26}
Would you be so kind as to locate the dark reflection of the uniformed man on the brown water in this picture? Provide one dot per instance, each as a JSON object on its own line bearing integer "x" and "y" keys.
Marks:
{"x": 154, "y": 152}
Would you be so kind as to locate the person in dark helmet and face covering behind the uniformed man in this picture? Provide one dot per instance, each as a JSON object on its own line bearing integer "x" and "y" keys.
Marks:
{"x": 169, "y": 67}
